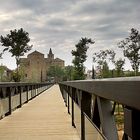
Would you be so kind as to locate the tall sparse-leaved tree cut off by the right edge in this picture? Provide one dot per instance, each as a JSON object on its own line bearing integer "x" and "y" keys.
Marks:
{"x": 131, "y": 49}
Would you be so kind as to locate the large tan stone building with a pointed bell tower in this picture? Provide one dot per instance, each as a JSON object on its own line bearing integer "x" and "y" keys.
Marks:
{"x": 36, "y": 66}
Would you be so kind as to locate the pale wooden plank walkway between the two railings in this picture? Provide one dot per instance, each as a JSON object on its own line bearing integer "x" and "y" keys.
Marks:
{"x": 43, "y": 118}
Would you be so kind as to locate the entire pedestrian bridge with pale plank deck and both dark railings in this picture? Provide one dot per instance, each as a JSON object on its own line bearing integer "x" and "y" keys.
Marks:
{"x": 38, "y": 112}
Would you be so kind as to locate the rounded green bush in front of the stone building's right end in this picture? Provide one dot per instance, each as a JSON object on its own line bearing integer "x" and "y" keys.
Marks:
{"x": 55, "y": 72}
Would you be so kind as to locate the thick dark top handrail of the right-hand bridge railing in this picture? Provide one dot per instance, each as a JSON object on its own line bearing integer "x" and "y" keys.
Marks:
{"x": 125, "y": 91}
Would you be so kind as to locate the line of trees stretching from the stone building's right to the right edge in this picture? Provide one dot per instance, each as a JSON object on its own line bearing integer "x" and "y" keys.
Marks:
{"x": 102, "y": 60}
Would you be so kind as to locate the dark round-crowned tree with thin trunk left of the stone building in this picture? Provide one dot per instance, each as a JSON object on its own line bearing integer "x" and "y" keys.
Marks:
{"x": 16, "y": 42}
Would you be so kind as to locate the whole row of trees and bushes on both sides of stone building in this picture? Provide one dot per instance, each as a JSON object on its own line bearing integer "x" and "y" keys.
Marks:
{"x": 17, "y": 43}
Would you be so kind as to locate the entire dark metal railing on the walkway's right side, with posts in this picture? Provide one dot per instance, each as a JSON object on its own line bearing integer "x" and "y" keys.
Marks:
{"x": 91, "y": 105}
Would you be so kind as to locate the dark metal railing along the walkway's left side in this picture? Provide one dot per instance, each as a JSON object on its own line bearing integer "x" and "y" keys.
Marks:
{"x": 14, "y": 95}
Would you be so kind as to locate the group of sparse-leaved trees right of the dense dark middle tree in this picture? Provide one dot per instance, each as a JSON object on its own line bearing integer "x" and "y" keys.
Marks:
{"x": 130, "y": 47}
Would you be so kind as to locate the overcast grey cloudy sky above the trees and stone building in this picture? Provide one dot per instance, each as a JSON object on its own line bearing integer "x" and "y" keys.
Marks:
{"x": 59, "y": 24}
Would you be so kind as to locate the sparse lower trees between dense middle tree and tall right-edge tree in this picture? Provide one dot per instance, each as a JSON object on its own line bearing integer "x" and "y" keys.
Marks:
{"x": 104, "y": 56}
